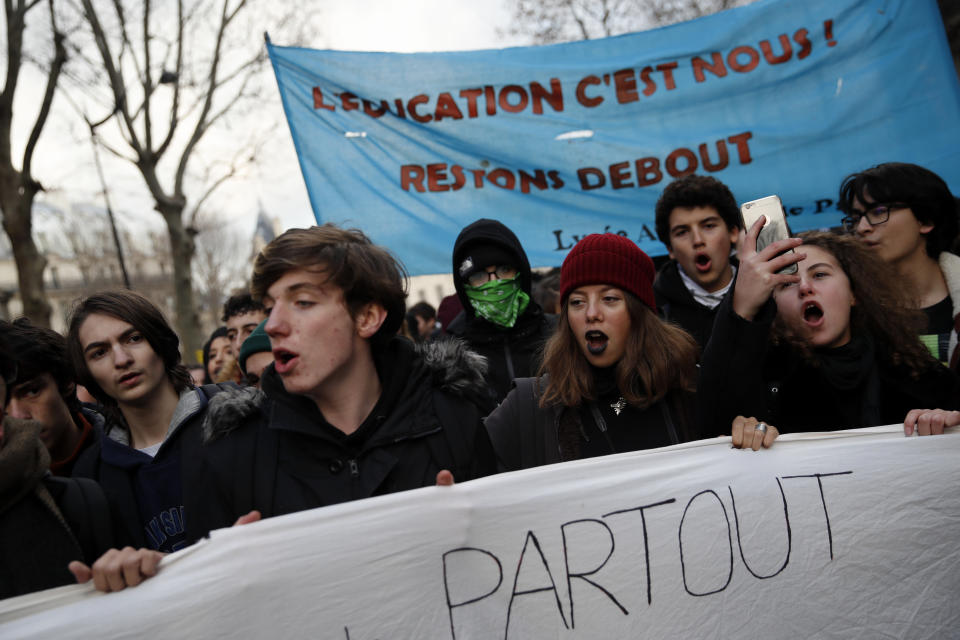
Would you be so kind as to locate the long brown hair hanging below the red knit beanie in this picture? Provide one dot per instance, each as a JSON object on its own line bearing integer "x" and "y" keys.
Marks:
{"x": 659, "y": 358}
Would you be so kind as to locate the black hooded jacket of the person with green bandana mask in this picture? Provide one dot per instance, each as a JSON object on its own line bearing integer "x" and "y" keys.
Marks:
{"x": 510, "y": 353}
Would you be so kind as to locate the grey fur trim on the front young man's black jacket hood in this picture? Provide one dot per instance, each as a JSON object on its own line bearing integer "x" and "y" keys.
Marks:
{"x": 447, "y": 365}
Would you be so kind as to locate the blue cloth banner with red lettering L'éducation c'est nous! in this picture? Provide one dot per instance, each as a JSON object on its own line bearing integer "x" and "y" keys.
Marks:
{"x": 779, "y": 97}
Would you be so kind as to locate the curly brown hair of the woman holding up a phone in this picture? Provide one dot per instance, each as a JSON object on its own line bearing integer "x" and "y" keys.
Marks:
{"x": 882, "y": 309}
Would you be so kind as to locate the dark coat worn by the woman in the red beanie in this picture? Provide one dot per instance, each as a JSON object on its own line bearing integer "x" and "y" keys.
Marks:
{"x": 525, "y": 435}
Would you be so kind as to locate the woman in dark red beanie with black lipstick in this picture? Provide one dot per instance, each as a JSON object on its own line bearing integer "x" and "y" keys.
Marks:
{"x": 614, "y": 376}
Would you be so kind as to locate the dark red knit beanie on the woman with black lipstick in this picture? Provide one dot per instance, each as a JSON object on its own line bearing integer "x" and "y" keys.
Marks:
{"x": 608, "y": 258}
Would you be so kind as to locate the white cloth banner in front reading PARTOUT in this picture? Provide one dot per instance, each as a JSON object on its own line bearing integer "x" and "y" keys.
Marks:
{"x": 848, "y": 535}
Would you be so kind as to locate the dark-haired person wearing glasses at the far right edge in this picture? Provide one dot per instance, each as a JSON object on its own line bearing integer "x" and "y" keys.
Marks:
{"x": 908, "y": 217}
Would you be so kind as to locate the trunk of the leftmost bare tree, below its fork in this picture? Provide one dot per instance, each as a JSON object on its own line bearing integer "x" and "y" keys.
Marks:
{"x": 30, "y": 263}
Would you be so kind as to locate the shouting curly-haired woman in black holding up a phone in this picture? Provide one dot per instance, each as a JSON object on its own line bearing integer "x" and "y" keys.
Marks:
{"x": 830, "y": 346}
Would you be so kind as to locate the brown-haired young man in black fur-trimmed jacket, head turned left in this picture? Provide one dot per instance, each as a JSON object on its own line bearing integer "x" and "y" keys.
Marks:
{"x": 347, "y": 410}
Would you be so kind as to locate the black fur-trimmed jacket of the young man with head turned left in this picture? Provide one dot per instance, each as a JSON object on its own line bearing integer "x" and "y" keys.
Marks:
{"x": 274, "y": 452}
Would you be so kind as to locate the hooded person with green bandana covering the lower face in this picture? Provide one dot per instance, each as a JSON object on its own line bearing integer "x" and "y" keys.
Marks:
{"x": 500, "y": 320}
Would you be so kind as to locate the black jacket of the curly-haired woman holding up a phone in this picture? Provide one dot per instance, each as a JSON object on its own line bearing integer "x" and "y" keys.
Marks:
{"x": 742, "y": 373}
